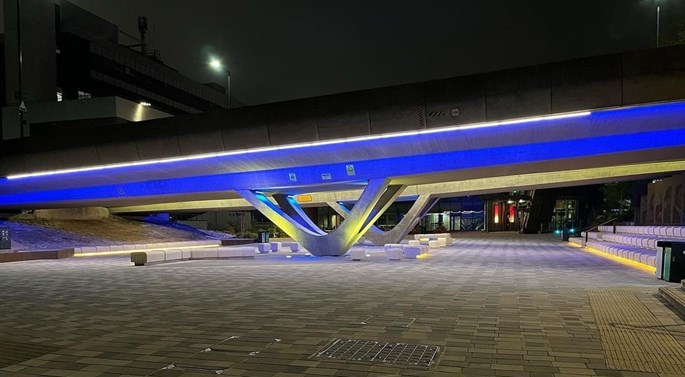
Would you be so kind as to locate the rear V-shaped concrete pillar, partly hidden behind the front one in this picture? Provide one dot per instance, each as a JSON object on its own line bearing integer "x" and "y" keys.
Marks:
{"x": 421, "y": 206}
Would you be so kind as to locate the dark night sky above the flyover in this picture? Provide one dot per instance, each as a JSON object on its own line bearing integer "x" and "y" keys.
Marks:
{"x": 284, "y": 49}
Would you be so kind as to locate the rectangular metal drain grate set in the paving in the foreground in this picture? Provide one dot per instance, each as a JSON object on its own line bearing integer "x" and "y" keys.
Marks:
{"x": 418, "y": 355}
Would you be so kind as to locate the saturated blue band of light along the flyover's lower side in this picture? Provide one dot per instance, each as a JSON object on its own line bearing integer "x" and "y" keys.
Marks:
{"x": 396, "y": 166}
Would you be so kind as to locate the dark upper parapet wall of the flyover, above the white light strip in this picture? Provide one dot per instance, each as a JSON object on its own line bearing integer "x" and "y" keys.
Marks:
{"x": 589, "y": 83}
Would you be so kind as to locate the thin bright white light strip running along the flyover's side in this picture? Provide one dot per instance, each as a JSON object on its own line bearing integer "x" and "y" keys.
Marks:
{"x": 300, "y": 145}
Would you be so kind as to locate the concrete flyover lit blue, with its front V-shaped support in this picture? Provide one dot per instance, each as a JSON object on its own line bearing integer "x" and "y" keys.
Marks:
{"x": 598, "y": 119}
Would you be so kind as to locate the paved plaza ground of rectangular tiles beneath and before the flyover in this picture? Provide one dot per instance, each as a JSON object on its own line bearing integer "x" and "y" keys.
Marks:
{"x": 496, "y": 305}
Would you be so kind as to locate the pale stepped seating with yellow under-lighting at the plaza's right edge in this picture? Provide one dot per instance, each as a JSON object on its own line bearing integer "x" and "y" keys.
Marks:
{"x": 637, "y": 243}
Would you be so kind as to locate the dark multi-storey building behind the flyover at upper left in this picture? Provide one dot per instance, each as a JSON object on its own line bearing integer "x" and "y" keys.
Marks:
{"x": 68, "y": 55}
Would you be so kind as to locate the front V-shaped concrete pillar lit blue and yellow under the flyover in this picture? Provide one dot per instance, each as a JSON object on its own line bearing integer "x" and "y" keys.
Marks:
{"x": 288, "y": 215}
